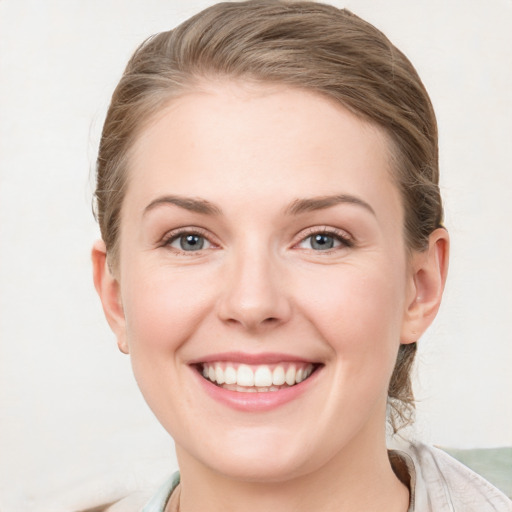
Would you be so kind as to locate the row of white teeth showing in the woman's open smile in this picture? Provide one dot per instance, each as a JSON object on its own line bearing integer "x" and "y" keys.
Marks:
{"x": 262, "y": 378}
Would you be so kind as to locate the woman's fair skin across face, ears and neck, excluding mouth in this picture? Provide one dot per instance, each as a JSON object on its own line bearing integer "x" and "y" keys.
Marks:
{"x": 260, "y": 286}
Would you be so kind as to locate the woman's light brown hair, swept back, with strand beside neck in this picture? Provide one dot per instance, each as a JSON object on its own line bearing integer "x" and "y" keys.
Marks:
{"x": 307, "y": 45}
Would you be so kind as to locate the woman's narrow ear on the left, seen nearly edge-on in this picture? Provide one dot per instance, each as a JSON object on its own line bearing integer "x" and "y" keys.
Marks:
{"x": 108, "y": 289}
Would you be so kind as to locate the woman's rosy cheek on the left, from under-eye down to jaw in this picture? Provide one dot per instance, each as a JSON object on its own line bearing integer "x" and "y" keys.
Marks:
{"x": 162, "y": 308}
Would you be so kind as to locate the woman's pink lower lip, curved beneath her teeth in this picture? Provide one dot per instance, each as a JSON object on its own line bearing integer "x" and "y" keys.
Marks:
{"x": 259, "y": 401}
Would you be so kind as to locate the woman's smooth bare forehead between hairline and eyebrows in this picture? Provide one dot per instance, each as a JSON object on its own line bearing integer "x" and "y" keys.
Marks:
{"x": 228, "y": 138}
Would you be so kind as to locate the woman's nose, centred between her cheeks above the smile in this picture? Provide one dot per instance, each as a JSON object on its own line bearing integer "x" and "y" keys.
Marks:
{"x": 253, "y": 294}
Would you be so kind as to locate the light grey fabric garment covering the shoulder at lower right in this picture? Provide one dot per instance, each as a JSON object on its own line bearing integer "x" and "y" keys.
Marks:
{"x": 443, "y": 483}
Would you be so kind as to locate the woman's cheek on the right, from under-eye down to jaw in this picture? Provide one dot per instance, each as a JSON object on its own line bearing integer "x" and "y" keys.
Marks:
{"x": 358, "y": 313}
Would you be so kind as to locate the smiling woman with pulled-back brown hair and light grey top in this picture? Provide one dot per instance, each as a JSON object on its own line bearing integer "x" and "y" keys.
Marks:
{"x": 272, "y": 249}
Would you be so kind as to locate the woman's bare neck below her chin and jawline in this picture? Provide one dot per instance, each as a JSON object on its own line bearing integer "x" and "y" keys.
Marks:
{"x": 360, "y": 477}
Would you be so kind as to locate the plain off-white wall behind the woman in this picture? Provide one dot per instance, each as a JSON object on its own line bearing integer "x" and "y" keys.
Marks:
{"x": 69, "y": 409}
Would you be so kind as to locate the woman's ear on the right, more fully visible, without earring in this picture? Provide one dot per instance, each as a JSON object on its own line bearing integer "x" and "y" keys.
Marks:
{"x": 428, "y": 270}
